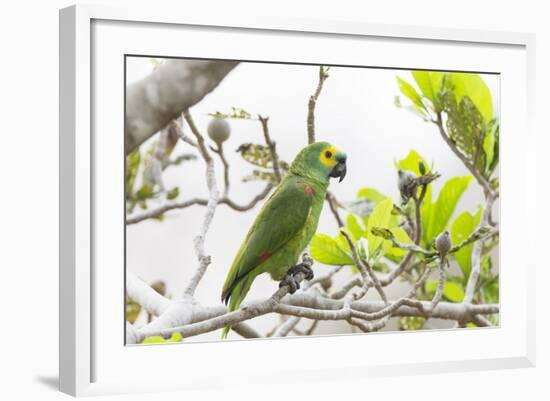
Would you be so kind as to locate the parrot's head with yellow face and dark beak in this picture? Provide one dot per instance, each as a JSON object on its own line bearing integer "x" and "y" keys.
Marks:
{"x": 320, "y": 161}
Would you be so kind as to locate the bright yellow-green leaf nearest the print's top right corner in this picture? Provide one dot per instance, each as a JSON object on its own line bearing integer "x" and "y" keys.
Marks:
{"x": 473, "y": 86}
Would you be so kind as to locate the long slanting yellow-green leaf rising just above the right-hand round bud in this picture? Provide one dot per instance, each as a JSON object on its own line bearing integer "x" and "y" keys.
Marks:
{"x": 441, "y": 210}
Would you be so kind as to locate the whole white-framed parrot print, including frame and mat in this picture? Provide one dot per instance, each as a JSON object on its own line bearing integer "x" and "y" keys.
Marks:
{"x": 345, "y": 200}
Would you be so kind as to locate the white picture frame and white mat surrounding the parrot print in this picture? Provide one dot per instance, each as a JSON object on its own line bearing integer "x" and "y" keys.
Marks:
{"x": 91, "y": 362}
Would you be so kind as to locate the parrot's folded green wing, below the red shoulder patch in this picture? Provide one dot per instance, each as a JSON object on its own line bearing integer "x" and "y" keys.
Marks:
{"x": 282, "y": 217}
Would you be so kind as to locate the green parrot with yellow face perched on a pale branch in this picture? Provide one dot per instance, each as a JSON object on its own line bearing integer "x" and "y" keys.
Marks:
{"x": 285, "y": 225}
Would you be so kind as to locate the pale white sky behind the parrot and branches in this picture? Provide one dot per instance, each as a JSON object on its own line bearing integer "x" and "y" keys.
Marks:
{"x": 355, "y": 111}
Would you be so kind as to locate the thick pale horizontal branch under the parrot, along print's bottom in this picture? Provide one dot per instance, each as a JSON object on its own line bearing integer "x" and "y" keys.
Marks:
{"x": 190, "y": 318}
